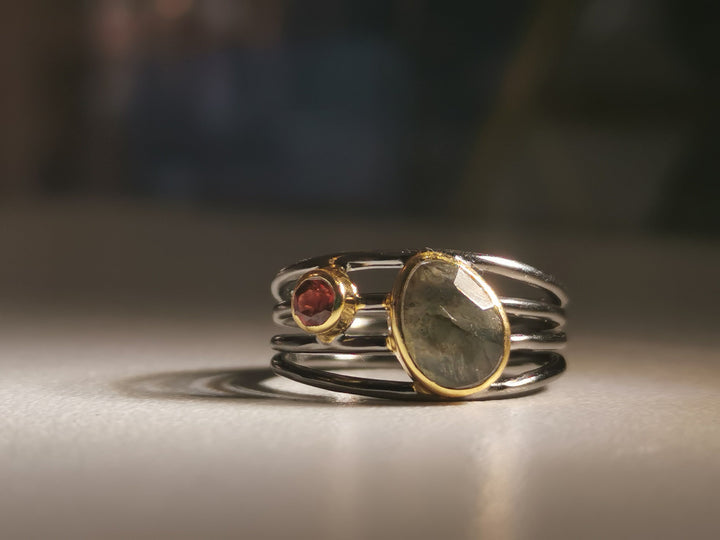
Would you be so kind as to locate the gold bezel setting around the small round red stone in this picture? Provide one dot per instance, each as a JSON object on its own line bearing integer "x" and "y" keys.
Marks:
{"x": 346, "y": 304}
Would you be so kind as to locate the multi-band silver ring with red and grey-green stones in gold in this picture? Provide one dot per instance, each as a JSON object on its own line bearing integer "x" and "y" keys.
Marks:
{"x": 453, "y": 333}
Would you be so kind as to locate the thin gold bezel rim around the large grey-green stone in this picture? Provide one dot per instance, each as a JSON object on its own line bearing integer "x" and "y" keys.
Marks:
{"x": 396, "y": 343}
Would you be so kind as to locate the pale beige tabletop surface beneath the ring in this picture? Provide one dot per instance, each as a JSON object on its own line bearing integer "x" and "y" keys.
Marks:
{"x": 118, "y": 325}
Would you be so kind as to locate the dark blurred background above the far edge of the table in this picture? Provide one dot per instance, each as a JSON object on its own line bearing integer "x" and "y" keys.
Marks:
{"x": 592, "y": 114}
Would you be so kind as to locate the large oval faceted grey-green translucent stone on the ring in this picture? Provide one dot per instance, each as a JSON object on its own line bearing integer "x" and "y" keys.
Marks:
{"x": 451, "y": 328}
